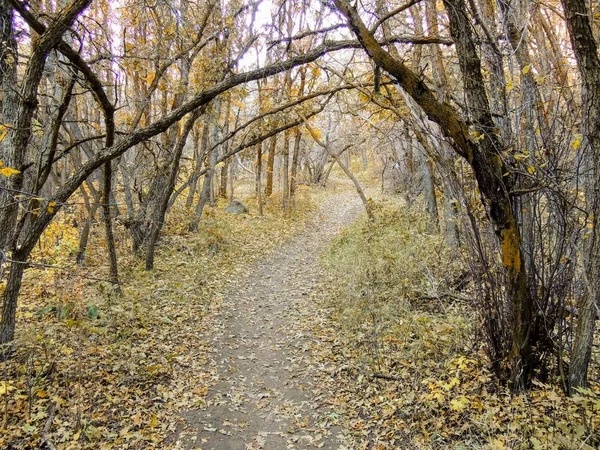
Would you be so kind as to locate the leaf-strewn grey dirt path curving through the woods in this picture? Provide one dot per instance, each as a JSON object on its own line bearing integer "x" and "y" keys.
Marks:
{"x": 266, "y": 395}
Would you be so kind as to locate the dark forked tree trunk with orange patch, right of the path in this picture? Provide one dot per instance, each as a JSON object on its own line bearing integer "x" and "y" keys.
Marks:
{"x": 484, "y": 156}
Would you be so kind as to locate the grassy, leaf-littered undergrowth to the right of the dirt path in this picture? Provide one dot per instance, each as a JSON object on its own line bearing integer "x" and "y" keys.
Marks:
{"x": 413, "y": 371}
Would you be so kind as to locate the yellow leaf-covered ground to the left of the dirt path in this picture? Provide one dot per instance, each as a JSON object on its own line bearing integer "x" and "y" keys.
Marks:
{"x": 95, "y": 370}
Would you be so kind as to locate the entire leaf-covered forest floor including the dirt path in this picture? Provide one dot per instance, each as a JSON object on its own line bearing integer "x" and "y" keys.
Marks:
{"x": 316, "y": 329}
